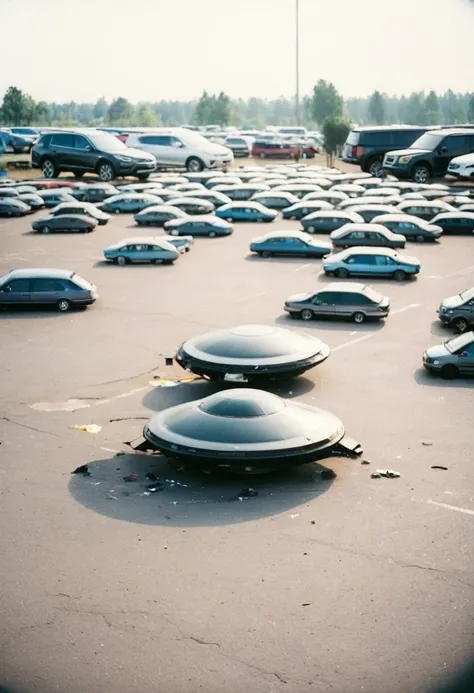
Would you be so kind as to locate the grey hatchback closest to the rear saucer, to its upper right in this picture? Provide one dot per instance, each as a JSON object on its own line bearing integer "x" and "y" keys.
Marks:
{"x": 348, "y": 300}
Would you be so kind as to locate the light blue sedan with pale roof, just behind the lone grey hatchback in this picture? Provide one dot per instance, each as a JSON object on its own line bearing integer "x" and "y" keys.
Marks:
{"x": 383, "y": 262}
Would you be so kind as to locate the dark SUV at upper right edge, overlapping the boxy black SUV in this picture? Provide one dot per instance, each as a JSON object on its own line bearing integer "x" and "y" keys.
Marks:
{"x": 430, "y": 154}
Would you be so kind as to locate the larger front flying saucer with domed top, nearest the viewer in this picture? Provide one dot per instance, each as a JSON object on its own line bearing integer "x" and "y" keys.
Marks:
{"x": 247, "y": 428}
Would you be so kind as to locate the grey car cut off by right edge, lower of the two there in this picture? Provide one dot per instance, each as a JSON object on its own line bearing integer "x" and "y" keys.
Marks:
{"x": 453, "y": 358}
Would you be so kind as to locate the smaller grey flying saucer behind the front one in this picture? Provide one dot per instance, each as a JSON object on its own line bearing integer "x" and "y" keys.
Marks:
{"x": 251, "y": 351}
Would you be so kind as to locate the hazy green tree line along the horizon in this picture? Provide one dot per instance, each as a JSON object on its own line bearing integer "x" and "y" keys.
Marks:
{"x": 325, "y": 101}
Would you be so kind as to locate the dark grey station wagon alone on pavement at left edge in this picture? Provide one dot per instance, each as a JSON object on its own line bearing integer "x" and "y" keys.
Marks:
{"x": 42, "y": 287}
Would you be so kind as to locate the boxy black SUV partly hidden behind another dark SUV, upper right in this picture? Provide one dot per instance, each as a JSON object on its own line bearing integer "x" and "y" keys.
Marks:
{"x": 367, "y": 146}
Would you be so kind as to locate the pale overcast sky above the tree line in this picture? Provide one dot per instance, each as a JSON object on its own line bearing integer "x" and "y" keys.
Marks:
{"x": 63, "y": 50}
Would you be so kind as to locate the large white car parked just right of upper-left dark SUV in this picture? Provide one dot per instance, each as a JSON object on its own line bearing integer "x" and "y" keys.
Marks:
{"x": 181, "y": 147}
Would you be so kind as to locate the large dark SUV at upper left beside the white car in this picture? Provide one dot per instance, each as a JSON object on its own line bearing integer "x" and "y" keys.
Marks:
{"x": 80, "y": 151}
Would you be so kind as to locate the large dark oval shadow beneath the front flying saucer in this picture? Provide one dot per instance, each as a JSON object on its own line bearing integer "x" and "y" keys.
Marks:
{"x": 191, "y": 498}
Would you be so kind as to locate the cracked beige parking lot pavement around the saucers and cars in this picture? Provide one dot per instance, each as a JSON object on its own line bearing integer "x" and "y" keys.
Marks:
{"x": 346, "y": 584}
